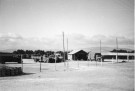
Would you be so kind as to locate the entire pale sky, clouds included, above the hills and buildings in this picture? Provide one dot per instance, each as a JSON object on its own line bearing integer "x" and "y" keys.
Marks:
{"x": 38, "y": 24}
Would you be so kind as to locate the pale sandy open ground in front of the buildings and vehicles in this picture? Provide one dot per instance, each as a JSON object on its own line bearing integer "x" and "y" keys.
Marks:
{"x": 78, "y": 76}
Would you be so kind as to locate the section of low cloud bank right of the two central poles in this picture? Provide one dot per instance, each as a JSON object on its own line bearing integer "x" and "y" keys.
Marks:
{"x": 82, "y": 41}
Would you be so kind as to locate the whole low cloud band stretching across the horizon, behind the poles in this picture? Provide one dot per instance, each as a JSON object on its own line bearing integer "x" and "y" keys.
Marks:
{"x": 76, "y": 40}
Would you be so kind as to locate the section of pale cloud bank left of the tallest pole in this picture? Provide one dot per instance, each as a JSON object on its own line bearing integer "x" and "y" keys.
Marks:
{"x": 16, "y": 41}
